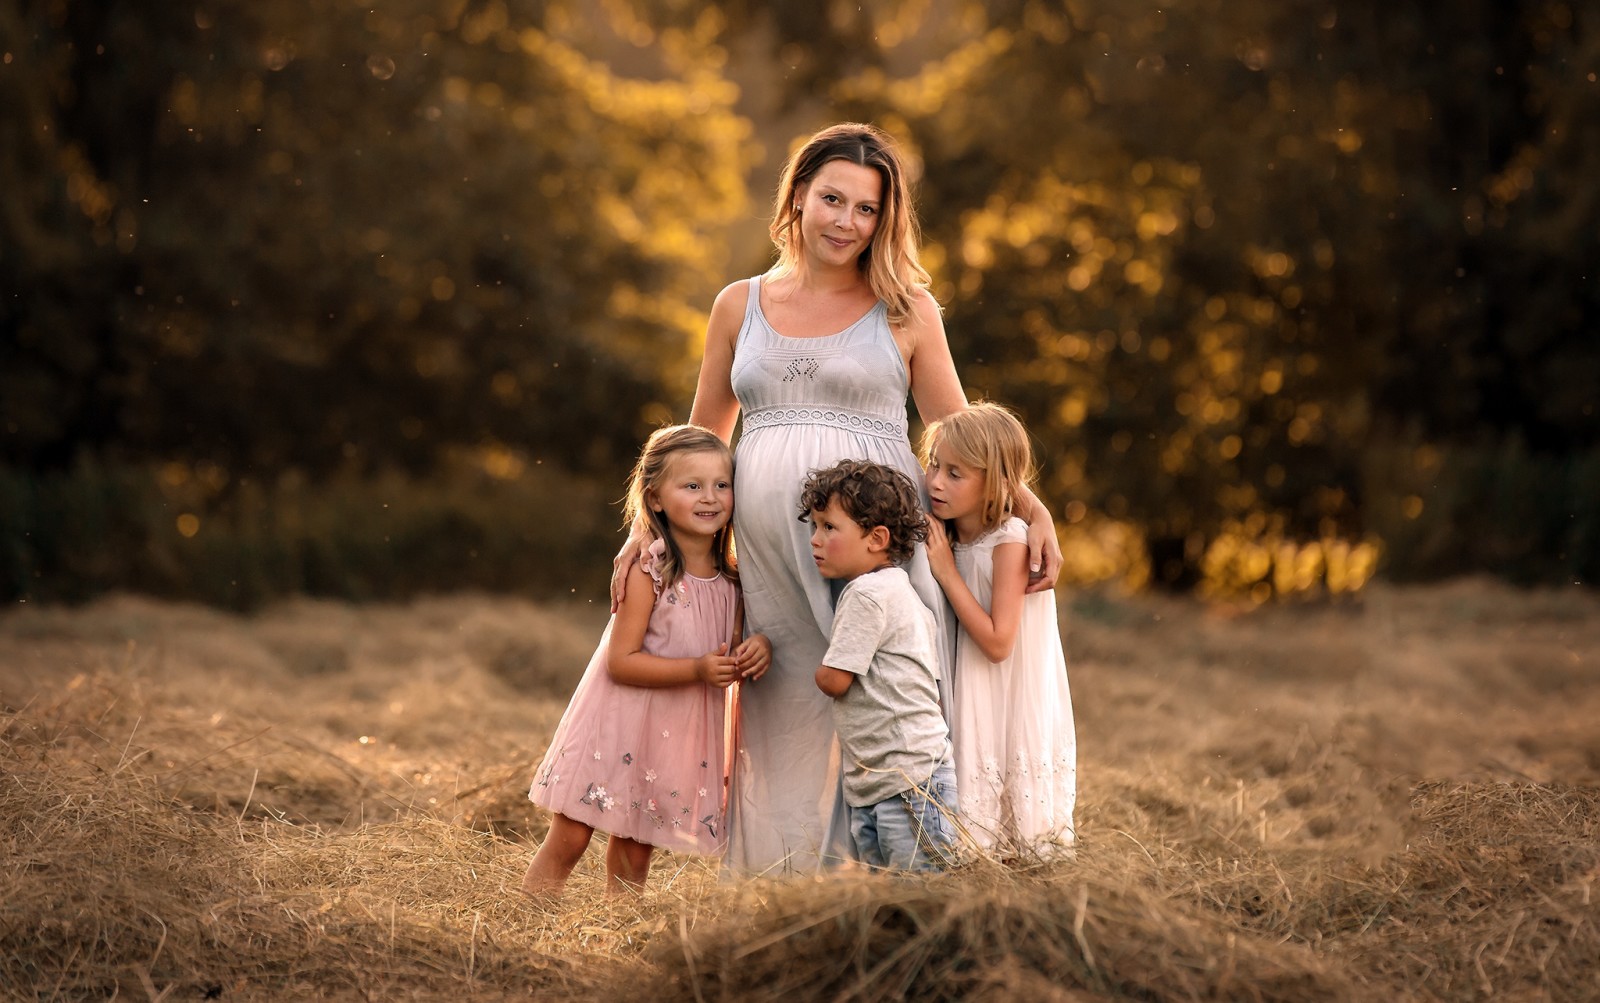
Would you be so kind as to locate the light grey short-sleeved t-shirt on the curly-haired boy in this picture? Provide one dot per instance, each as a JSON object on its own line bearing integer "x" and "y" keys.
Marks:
{"x": 892, "y": 733}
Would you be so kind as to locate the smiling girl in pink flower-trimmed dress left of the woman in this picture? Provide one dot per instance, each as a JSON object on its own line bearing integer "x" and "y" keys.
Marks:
{"x": 639, "y": 753}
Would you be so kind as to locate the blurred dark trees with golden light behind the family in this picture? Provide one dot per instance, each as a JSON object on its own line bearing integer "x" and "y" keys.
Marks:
{"x": 375, "y": 300}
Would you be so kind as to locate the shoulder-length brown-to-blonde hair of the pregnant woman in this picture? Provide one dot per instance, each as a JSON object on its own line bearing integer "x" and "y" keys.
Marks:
{"x": 892, "y": 262}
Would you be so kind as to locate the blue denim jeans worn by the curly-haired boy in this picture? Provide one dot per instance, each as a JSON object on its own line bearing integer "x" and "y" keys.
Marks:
{"x": 911, "y": 831}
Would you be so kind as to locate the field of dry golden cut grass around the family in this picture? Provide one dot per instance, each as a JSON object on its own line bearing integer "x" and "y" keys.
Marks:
{"x": 1394, "y": 797}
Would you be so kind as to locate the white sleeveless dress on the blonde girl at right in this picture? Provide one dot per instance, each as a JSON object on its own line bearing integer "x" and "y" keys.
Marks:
{"x": 1015, "y": 743}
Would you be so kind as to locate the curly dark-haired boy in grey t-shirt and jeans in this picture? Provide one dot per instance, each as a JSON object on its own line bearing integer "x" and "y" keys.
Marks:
{"x": 882, "y": 668}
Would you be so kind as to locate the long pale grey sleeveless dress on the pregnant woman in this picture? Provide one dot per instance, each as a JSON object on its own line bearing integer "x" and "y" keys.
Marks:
{"x": 806, "y": 404}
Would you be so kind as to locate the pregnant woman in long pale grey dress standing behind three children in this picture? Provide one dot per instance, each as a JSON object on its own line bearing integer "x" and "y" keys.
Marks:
{"x": 820, "y": 356}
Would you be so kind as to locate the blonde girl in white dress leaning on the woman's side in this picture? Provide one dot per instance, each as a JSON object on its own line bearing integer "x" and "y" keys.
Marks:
{"x": 1012, "y": 717}
